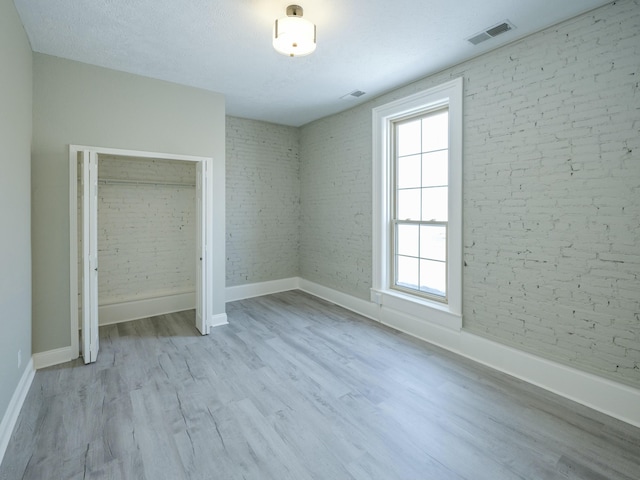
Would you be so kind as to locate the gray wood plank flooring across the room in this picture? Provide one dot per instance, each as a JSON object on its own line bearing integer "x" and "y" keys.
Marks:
{"x": 297, "y": 388}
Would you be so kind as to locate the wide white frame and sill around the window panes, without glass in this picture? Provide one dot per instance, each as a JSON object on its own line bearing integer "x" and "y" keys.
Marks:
{"x": 445, "y": 314}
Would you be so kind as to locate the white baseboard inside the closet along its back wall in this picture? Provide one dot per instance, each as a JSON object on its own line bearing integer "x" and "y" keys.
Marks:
{"x": 150, "y": 307}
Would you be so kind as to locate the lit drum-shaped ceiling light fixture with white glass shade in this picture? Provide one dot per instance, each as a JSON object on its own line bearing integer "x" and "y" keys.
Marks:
{"x": 293, "y": 35}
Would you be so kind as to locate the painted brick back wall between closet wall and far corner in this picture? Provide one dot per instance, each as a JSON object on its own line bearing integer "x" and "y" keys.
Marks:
{"x": 262, "y": 201}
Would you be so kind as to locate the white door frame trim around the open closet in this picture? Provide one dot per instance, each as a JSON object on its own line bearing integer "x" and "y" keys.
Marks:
{"x": 205, "y": 317}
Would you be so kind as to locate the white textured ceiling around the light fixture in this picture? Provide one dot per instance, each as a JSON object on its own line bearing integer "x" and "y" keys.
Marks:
{"x": 225, "y": 45}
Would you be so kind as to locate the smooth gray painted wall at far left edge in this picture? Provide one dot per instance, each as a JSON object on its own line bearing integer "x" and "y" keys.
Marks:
{"x": 15, "y": 200}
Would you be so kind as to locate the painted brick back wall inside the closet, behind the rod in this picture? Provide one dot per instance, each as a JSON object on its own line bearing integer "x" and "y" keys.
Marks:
{"x": 146, "y": 233}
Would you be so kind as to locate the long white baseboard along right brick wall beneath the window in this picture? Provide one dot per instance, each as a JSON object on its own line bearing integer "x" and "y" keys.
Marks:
{"x": 612, "y": 398}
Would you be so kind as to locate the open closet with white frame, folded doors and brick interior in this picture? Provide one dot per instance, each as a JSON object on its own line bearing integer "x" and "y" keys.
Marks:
{"x": 141, "y": 240}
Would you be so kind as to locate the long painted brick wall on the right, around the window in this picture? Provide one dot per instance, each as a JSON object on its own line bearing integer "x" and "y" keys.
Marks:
{"x": 551, "y": 193}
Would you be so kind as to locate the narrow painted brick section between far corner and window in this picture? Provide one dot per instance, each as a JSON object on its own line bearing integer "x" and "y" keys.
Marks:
{"x": 336, "y": 181}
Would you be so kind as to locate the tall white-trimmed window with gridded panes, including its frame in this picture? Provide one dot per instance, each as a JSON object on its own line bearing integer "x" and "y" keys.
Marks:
{"x": 418, "y": 204}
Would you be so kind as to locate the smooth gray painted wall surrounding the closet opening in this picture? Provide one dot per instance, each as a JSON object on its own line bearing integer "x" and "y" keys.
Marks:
{"x": 75, "y": 103}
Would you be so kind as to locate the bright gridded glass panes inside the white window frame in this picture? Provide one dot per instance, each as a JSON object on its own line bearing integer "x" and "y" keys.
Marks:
{"x": 420, "y": 210}
